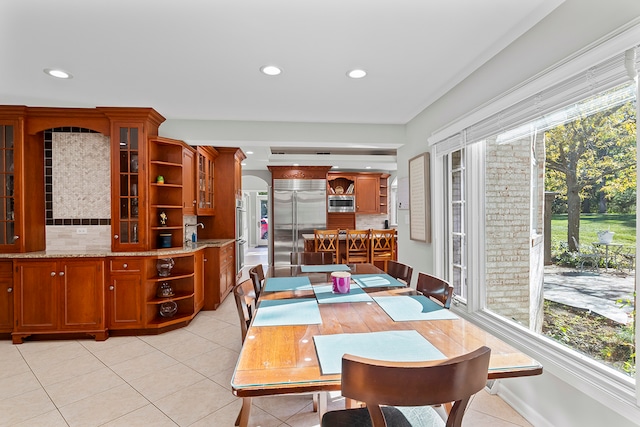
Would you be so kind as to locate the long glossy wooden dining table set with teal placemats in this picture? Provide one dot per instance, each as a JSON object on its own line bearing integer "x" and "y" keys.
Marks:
{"x": 283, "y": 359}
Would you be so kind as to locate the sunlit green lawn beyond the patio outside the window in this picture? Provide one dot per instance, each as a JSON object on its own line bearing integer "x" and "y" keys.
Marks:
{"x": 624, "y": 227}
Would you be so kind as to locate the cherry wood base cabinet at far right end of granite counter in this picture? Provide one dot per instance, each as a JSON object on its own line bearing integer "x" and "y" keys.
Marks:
{"x": 220, "y": 275}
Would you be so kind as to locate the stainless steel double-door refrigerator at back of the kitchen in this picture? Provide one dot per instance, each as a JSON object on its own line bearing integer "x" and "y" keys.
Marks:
{"x": 298, "y": 207}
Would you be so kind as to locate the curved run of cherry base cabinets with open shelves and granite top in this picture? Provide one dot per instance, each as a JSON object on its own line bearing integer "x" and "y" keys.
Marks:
{"x": 98, "y": 293}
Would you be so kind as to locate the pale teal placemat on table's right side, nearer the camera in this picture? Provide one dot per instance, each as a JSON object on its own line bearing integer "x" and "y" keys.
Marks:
{"x": 413, "y": 307}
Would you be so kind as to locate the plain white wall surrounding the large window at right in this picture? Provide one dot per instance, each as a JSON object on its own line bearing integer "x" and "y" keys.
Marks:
{"x": 545, "y": 400}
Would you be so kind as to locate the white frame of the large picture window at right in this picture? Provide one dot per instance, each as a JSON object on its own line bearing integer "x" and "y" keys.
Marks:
{"x": 611, "y": 388}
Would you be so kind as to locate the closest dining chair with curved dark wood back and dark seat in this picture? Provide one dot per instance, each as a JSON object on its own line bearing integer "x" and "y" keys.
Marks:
{"x": 401, "y": 393}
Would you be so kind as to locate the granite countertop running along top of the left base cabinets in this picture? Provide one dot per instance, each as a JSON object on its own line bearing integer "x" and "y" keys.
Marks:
{"x": 188, "y": 248}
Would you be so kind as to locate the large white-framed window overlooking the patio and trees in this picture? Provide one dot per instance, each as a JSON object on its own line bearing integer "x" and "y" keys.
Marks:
{"x": 525, "y": 195}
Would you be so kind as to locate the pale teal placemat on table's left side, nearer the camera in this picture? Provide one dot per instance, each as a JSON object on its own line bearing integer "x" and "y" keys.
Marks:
{"x": 297, "y": 311}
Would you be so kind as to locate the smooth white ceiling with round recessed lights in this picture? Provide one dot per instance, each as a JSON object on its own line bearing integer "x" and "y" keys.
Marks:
{"x": 200, "y": 59}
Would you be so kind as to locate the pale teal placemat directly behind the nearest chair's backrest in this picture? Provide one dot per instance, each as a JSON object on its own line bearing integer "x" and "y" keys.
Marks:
{"x": 399, "y": 346}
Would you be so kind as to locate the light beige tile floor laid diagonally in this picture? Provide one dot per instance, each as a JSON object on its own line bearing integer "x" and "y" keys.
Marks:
{"x": 177, "y": 378}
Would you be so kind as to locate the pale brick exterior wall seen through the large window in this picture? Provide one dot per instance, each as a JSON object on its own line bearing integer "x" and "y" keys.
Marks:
{"x": 509, "y": 243}
